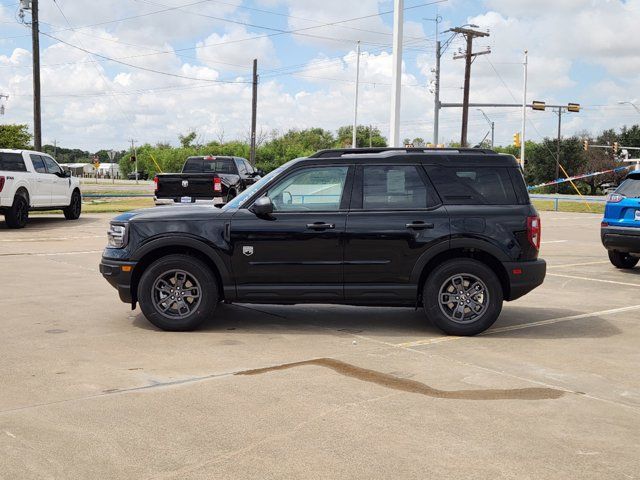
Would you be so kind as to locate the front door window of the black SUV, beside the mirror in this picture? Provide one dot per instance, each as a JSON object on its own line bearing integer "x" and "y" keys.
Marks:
{"x": 309, "y": 189}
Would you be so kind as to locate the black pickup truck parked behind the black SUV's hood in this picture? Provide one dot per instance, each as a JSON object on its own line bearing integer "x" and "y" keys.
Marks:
{"x": 205, "y": 180}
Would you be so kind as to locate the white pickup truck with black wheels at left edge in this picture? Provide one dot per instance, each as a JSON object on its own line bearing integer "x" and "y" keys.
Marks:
{"x": 34, "y": 181}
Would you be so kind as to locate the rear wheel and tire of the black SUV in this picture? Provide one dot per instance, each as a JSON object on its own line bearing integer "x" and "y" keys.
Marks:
{"x": 478, "y": 310}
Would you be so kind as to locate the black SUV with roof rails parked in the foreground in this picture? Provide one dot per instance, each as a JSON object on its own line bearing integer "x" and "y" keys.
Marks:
{"x": 452, "y": 230}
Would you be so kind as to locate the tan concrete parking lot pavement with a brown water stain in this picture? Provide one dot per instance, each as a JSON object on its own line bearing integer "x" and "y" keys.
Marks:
{"x": 89, "y": 389}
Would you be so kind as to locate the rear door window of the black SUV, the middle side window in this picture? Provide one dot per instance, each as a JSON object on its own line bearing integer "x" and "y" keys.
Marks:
{"x": 388, "y": 187}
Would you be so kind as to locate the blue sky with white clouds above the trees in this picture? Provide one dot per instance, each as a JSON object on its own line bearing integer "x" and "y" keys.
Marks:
{"x": 154, "y": 69}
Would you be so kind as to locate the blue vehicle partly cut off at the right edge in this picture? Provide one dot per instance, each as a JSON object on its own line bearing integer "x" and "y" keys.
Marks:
{"x": 620, "y": 229}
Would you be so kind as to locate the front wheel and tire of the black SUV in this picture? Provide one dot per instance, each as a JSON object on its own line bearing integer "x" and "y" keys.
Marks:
{"x": 155, "y": 293}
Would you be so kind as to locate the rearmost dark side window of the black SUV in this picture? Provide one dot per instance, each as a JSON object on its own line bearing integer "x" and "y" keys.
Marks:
{"x": 473, "y": 185}
